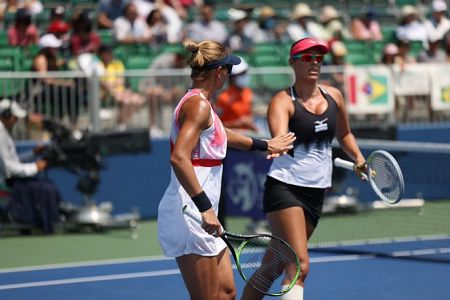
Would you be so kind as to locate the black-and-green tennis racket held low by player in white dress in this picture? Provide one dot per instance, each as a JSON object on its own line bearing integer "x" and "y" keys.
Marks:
{"x": 266, "y": 262}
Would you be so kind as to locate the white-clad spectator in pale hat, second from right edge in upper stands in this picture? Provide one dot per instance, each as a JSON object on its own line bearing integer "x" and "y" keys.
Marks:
{"x": 410, "y": 27}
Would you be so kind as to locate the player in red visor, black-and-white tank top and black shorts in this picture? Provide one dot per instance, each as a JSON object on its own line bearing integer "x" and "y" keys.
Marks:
{"x": 296, "y": 183}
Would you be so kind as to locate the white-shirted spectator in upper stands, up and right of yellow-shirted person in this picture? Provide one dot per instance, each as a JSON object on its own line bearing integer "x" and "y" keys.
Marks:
{"x": 130, "y": 29}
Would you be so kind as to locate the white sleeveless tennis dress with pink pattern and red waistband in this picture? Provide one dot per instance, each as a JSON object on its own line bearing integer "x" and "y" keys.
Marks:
{"x": 178, "y": 234}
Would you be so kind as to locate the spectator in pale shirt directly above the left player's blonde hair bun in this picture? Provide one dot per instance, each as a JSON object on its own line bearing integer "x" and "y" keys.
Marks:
{"x": 207, "y": 27}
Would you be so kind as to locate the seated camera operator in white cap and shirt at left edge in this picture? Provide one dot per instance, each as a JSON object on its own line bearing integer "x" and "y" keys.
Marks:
{"x": 34, "y": 200}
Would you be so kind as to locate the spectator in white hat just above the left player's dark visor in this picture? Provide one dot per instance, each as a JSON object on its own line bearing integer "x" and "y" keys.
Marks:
{"x": 238, "y": 40}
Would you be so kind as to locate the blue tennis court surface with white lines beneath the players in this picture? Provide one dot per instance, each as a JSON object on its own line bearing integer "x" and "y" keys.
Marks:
{"x": 331, "y": 277}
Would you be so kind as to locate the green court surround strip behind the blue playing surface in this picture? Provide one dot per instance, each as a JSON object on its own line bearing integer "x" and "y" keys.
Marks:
{"x": 34, "y": 250}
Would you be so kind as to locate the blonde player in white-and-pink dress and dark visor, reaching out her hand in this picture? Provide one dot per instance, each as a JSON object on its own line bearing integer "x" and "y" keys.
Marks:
{"x": 198, "y": 144}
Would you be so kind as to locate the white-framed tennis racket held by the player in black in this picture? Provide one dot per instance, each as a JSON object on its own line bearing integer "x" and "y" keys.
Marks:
{"x": 385, "y": 177}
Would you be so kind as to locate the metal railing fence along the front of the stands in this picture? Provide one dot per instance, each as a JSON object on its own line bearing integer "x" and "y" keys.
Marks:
{"x": 146, "y": 99}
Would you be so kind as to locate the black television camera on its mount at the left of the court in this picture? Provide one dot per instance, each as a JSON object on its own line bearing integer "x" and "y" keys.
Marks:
{"x": 82, "y": 153}
